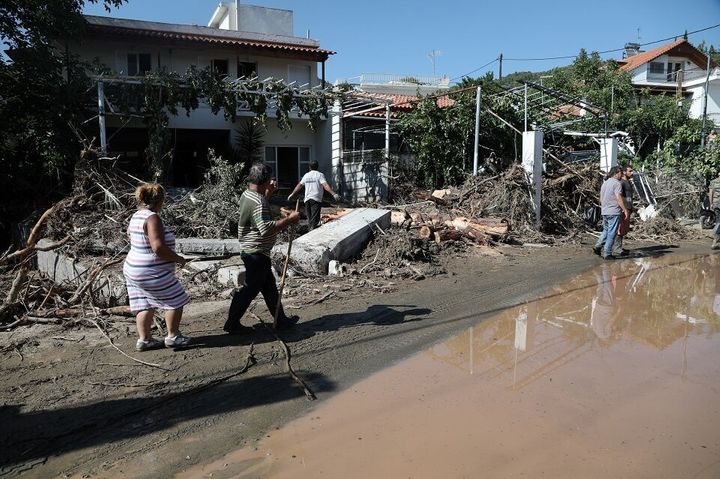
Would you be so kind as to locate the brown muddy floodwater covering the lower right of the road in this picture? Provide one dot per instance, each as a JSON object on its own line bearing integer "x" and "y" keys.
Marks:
{"x": 614, "y": 374}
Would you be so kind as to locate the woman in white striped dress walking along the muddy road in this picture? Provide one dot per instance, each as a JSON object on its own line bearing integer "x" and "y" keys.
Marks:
{"x": 149, "y": 270}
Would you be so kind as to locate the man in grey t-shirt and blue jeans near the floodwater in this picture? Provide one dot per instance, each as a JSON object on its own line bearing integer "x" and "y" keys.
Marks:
{"x": 613, "y": 208}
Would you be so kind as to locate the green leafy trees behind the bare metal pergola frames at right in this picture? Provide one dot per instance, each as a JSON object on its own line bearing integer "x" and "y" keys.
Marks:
{"x": 658, "y": 125}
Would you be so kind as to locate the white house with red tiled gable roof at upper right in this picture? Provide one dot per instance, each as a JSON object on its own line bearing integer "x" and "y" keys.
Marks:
{"x": 677, "y": 67}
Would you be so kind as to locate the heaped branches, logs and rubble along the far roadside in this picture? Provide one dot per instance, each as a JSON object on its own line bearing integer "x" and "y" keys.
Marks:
{"x": 422, "y": 228}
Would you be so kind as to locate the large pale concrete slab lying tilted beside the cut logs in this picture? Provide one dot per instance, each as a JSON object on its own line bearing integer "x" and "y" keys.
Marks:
{"x": 338, "y": 240}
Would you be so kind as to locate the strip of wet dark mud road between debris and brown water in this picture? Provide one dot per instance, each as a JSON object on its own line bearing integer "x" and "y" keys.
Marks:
{"x": 73, "y": 406}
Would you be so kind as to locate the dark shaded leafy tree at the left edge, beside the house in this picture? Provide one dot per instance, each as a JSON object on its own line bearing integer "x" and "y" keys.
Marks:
{"x": 41, "y": 93}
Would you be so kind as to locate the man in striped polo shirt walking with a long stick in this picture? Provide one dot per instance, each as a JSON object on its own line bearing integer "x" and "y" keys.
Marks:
{"x": 257, "y": 232}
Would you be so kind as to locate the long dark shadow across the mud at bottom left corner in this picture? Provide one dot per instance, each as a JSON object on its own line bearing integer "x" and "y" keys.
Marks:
{"x": 28, "y": 436}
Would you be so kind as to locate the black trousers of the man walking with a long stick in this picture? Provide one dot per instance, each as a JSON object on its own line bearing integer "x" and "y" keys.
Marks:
{"x": 258, "y": 279}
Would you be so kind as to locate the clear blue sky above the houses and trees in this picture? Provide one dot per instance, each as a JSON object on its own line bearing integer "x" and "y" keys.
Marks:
{"x": 398, "y": 36}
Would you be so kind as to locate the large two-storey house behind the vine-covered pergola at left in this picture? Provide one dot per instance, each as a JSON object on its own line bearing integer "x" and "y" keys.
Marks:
{"x": 239, "y": 40}
